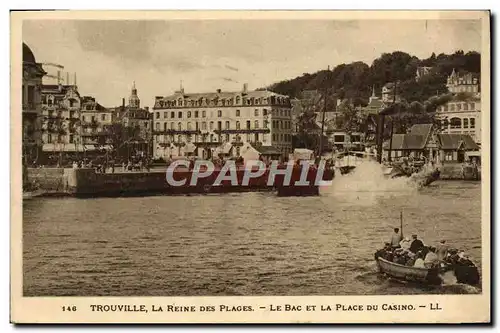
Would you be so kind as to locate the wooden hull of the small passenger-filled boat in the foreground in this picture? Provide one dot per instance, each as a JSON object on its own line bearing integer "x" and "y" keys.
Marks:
{"x": 408, "y": 273}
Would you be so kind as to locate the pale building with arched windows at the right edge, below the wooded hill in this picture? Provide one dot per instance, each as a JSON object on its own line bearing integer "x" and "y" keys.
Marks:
{"x": 462, "y": 114}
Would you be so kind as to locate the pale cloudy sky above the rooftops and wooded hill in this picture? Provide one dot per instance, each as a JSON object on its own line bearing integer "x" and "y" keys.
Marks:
{"x": 205, "y": 55}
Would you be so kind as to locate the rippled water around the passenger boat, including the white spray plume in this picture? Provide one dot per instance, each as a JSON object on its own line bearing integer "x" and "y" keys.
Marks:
{"x": 244, "y": 243}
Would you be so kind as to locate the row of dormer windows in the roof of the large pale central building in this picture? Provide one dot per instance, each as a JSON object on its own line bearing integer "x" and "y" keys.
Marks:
{"x": 221, "y": 101}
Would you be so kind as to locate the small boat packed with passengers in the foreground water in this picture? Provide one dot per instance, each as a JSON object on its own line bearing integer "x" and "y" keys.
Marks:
{"x": 411, "y": 260}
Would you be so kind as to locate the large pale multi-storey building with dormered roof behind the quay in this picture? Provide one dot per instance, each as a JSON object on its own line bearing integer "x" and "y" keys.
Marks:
{"x": 209, "y": 120}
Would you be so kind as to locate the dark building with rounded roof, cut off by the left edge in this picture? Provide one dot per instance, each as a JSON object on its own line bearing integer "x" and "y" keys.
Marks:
{"x": 31, "y": 106}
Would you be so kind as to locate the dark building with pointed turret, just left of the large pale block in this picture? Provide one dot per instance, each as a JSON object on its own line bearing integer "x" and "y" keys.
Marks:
{"x": 138, "y": 121}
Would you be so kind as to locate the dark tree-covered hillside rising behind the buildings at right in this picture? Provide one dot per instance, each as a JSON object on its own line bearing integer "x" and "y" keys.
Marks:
{"x": 355, "y": 80}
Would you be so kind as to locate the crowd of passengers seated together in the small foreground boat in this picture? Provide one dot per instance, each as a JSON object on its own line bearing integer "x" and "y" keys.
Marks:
{"x": 413, "y": 252}
